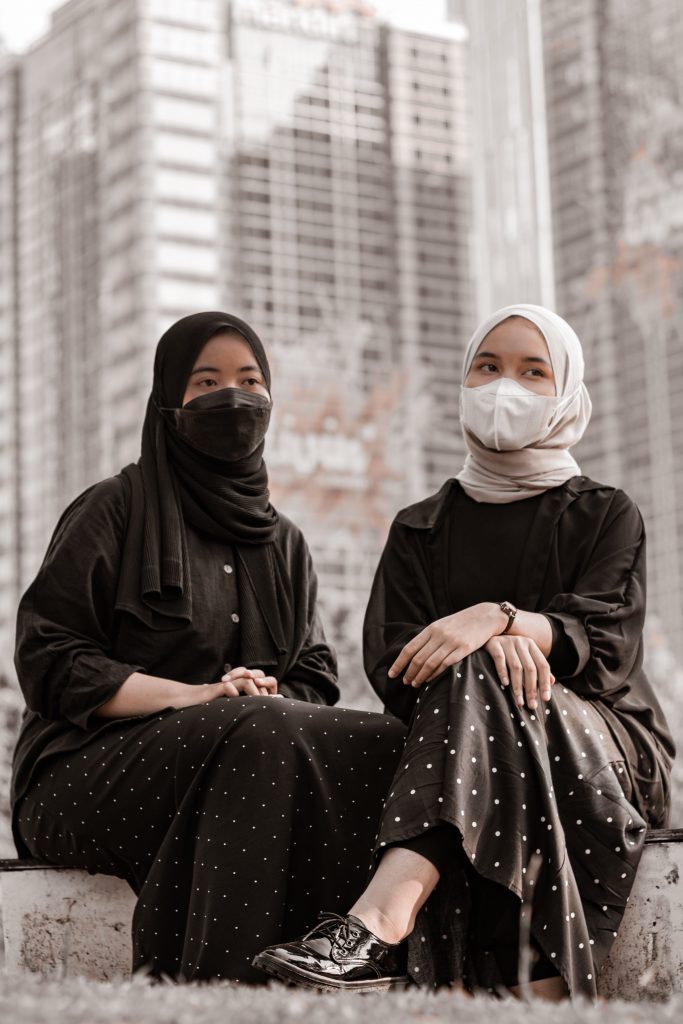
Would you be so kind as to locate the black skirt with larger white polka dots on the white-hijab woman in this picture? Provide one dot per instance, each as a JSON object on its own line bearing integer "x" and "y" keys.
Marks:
{"x": 545, "y": 804}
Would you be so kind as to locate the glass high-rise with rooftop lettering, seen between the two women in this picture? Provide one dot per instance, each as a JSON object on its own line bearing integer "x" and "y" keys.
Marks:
{"x": 351, "y": 218}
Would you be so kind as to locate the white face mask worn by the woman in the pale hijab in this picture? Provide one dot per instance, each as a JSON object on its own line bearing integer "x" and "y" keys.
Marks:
{"x": 506, "y": 416}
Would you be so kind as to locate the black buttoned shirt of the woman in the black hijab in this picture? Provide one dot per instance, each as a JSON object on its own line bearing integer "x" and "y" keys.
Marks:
{"x": 74, "y": 649}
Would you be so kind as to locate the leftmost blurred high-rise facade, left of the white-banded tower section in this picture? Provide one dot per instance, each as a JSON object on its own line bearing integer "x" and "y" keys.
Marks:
{"x": 60, "y": 347}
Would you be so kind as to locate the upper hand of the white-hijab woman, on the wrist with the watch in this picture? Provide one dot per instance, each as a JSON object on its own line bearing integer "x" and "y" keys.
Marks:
{"x": 446, "y": 642}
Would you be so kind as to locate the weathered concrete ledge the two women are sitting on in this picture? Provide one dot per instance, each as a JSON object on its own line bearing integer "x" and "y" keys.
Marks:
{"x": 64, "y": 921}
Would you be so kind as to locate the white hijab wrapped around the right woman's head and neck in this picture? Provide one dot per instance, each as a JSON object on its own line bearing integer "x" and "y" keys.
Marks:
{"x": 490, "y": 476}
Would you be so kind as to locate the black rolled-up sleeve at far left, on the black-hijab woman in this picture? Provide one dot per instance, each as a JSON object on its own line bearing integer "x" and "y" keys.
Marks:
{"x": 65, "y": 618}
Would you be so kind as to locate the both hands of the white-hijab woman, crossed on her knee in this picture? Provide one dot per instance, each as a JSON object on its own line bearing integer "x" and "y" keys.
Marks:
{"x": 519, "y": 660}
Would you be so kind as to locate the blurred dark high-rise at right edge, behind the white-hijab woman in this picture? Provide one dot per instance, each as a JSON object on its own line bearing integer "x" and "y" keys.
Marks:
{"x": 615, "y": 102}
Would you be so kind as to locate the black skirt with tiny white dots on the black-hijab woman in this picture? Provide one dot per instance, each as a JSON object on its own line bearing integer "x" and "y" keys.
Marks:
{"x": 235, "y": 822}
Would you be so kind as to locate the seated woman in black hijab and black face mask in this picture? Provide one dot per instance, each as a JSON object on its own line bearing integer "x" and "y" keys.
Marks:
{"x": 176, "y": 609}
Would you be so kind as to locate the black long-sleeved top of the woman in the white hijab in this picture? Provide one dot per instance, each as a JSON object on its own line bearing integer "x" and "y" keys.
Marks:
{"x": 576, "y": 553}
